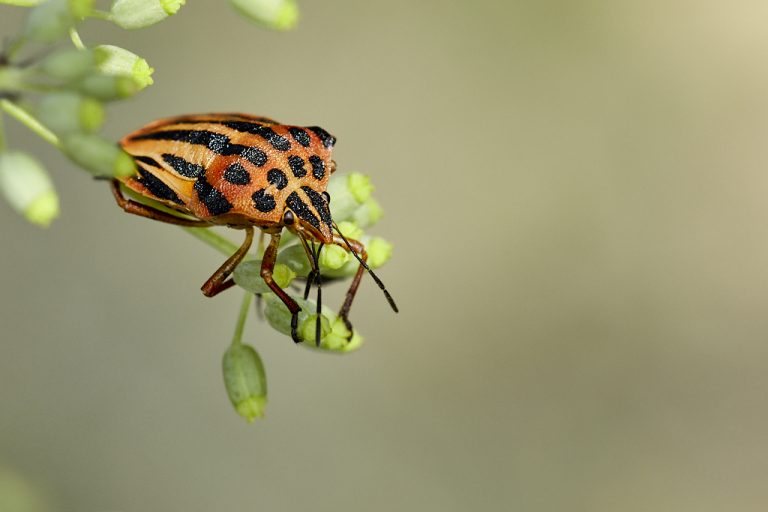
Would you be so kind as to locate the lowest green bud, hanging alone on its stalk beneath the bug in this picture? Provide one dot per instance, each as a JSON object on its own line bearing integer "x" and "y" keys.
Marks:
{"x": 245, "y": 381}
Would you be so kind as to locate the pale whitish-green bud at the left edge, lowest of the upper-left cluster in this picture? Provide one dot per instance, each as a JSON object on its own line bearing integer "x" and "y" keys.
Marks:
{"x": 27, "y": 187}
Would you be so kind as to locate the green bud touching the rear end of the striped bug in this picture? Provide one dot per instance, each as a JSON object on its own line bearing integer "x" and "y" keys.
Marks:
{"x": 99, "y": 156}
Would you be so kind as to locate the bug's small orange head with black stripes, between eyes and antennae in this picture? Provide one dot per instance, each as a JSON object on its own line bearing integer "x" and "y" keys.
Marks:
{"x": 310, "y": 220}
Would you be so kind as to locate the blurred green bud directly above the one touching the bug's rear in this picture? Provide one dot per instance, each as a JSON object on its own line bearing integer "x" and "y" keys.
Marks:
{"x": 66, "y": 112}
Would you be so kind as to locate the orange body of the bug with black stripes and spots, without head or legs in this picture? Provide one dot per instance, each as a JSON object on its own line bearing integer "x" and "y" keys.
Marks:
{"x": 231, "y": 168}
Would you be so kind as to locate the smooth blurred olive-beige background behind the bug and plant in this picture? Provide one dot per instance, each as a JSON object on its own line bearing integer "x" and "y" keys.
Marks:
{"x": 576, "y": 193}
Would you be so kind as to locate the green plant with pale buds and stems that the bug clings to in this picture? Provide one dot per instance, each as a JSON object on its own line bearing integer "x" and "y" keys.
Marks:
{"x": 61, "y": 97}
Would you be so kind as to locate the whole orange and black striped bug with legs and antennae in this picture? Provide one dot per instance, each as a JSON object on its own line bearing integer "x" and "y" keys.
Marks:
{"x": 243, "y": 171}
